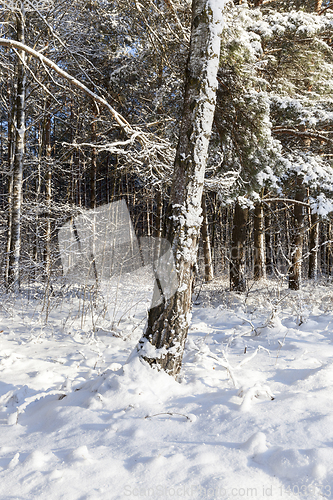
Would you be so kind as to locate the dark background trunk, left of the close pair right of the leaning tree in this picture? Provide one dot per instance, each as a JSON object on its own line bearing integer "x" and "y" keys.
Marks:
{"x": 237, "y": 255}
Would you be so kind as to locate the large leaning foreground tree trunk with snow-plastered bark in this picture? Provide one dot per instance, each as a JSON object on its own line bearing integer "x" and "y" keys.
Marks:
{"x": 163, "y": 342}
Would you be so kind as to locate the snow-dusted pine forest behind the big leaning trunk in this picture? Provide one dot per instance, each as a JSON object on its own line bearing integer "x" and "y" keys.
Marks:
{"x": 92, "y": 100}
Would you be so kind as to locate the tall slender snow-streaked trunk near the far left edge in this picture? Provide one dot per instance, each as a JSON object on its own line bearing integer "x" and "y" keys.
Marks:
{"x": 15, "y": 245}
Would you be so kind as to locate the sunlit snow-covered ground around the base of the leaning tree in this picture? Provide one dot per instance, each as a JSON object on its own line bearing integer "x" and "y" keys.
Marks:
{"x": 251, "y": 415}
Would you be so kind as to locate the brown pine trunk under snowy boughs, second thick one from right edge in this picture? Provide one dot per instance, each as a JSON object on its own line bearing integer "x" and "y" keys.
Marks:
{"x": 295, "y": 272}
